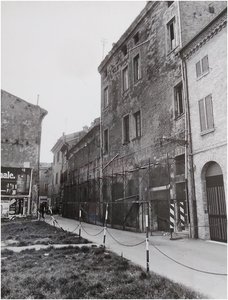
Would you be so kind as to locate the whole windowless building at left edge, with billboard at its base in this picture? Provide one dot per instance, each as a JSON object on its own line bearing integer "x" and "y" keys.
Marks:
{"x": 20, "y": 153}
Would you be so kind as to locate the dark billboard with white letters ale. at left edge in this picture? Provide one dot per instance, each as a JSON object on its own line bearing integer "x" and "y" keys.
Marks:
{"x": 15, "y": 181}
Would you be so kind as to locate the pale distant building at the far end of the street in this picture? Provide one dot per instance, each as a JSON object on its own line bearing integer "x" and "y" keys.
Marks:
{"x": 60, "y": 166}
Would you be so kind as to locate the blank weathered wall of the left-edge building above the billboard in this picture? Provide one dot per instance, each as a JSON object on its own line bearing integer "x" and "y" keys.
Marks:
{"x": 21, "y": 135}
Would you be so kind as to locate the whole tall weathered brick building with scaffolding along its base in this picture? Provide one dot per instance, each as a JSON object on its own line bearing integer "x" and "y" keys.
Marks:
{"x": 143, "y": 117}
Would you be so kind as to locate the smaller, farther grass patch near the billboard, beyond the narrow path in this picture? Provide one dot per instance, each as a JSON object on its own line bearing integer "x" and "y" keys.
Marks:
{"x": 26, "y": 232}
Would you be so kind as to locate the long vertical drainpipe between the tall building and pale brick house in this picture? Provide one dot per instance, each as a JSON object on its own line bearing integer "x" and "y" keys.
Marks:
{"x": 189, "y": 175}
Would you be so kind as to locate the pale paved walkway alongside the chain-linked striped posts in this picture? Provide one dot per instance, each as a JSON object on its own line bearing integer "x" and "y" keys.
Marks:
{"x": 203, "y": 255}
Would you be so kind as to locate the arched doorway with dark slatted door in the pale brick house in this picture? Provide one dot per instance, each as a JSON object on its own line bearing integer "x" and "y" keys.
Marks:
{"x": 216, "y": 202}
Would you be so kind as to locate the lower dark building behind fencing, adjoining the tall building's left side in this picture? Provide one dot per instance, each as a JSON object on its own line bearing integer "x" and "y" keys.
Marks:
{"x": 82, "y": 183}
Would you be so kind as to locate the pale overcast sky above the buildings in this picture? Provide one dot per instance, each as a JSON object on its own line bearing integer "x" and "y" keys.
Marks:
{"x": 53, "y": 49}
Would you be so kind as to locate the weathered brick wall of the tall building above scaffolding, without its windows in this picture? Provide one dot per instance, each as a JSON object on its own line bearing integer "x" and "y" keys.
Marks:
{"x": 153, "y": 94}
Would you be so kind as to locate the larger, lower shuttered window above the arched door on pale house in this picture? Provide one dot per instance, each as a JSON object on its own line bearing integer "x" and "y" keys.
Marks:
{"x": 206, "y": 113}
